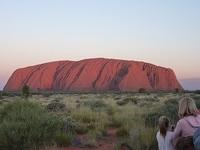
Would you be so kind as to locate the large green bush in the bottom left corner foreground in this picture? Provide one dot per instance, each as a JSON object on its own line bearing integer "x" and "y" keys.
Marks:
{"x": 26, "y": 125}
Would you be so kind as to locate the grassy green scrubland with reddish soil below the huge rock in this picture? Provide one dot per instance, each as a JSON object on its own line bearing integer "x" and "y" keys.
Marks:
{"x": 85, "y": 121}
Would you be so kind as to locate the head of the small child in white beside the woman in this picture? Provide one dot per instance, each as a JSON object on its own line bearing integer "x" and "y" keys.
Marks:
{"x": 163, "y": 124}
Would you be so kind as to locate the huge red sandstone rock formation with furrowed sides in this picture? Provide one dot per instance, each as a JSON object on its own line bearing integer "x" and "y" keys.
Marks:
{"x": 94, "y": 75}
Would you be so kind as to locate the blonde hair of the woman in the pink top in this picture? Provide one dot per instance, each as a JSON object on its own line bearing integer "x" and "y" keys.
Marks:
{"x": 187, "y": 107}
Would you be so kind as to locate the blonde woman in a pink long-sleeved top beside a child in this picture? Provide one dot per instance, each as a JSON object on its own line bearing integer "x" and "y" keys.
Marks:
{"x": 187, "y": 125}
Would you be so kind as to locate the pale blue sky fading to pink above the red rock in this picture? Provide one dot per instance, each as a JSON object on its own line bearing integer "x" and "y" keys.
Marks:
{"x": 165, "y": 33}
